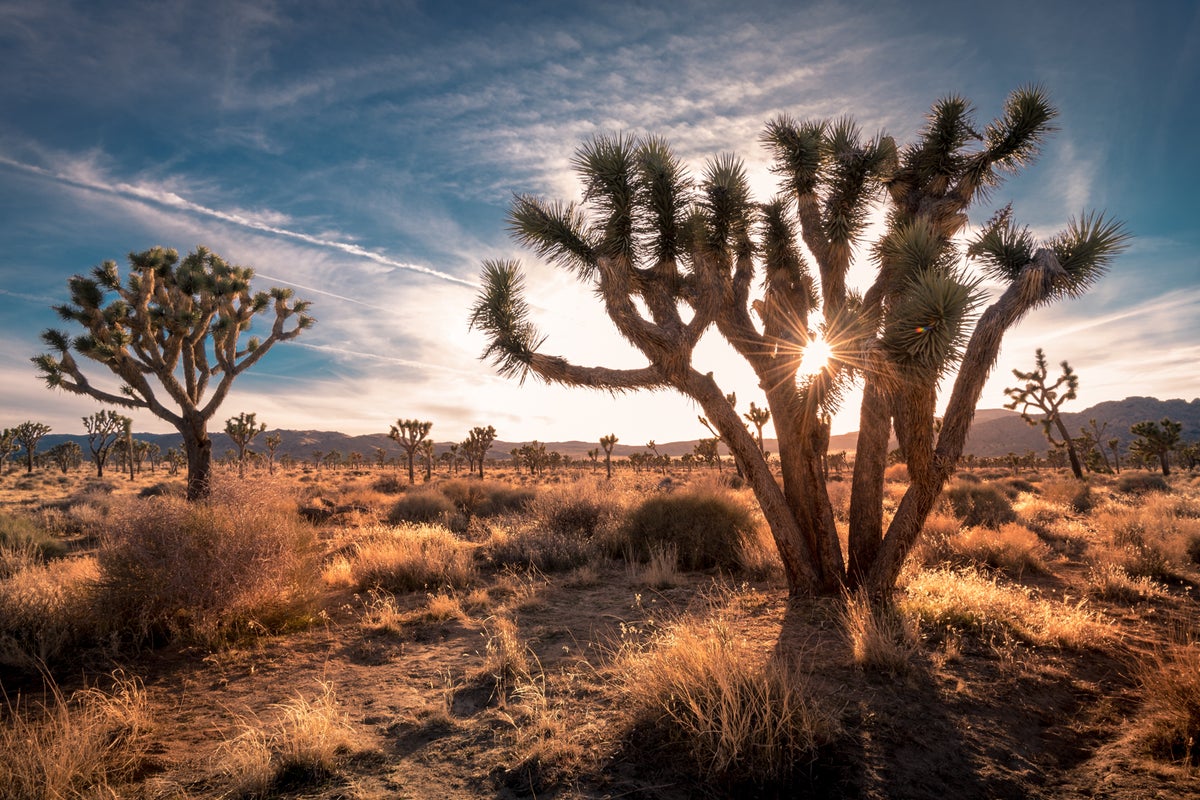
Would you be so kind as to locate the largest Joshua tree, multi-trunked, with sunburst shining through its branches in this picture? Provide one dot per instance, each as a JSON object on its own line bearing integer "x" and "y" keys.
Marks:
{"x": 673, "y": 258}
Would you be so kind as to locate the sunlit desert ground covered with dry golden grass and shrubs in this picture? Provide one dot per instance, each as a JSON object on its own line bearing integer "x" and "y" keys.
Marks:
{"x": 571, "y": 635}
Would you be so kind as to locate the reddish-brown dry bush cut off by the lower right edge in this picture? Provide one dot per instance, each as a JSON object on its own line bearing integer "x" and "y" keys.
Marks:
{"x": 1171, "y": 726}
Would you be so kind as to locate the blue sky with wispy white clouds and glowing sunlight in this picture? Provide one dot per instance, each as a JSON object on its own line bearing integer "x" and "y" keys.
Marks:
{"x": 364, "y": 154}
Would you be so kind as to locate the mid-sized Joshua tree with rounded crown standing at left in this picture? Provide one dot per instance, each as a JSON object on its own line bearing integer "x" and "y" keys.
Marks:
{"x": 170, "y": 332}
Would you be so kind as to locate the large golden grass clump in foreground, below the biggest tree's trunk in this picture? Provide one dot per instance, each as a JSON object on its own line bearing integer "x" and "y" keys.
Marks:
{"x": 734, "y": 713}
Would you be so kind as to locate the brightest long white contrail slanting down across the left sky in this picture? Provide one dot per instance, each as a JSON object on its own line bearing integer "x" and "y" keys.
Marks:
{"x": 173, "y": 201}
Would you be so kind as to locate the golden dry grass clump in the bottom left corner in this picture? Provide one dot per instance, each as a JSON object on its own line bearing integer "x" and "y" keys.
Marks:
{"x": 79, "y": 747}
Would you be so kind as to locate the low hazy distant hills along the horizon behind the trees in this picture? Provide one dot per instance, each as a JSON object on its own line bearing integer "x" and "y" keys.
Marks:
{"x": 995, "y": 432}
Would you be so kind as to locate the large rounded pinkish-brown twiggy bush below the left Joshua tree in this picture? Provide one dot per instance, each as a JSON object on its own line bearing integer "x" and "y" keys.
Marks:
{"x": 206, "y": 572}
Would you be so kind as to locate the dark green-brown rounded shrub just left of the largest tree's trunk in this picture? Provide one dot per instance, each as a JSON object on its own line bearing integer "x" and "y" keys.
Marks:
{"x": 709, "y": 527}
